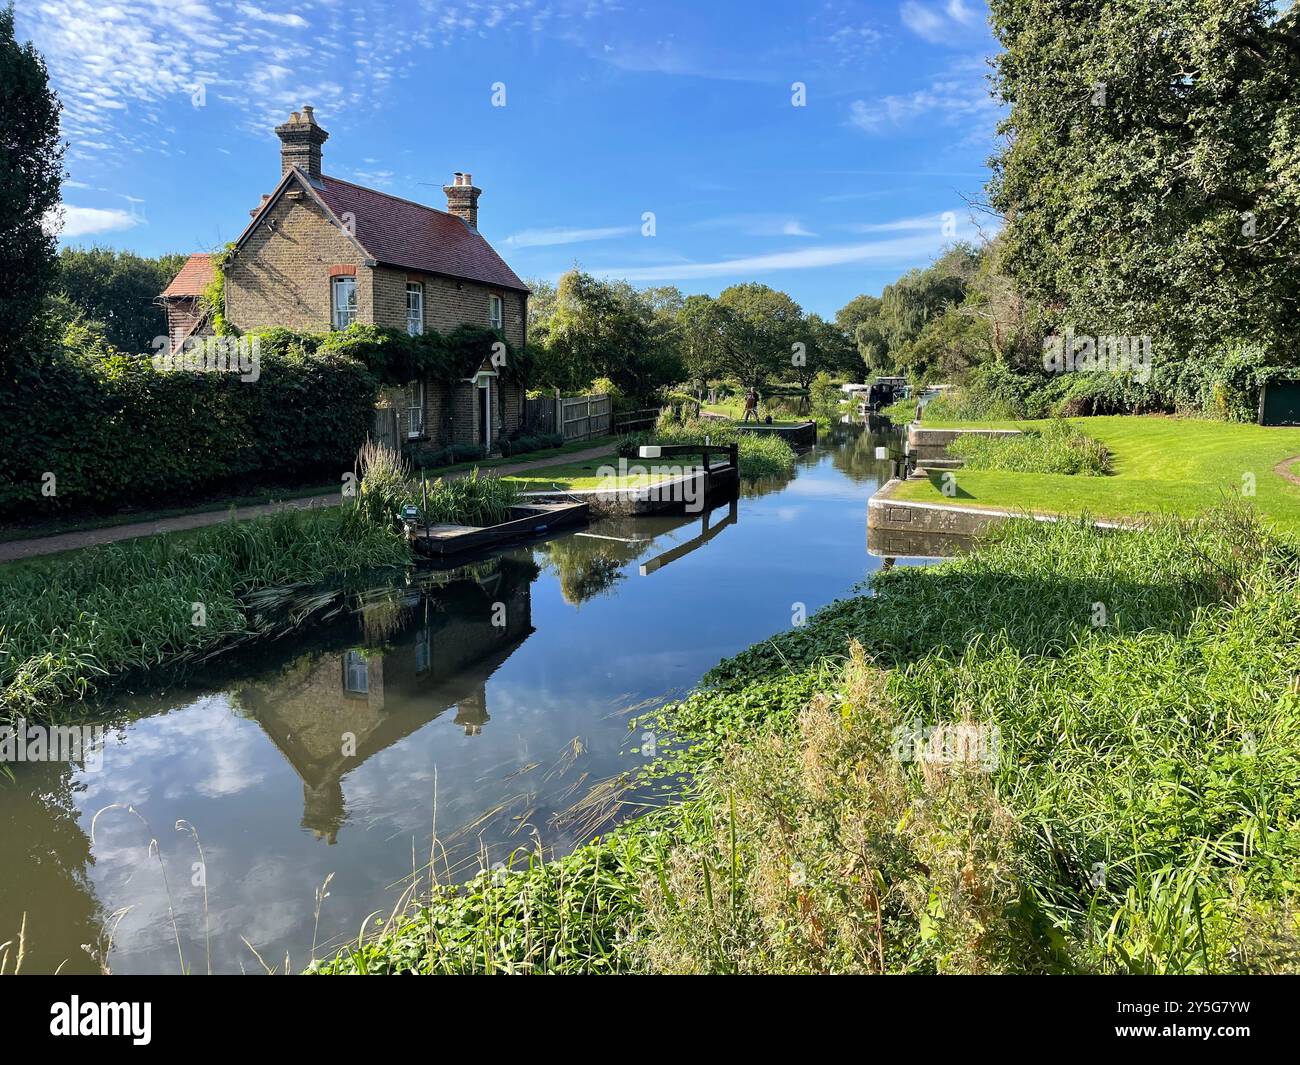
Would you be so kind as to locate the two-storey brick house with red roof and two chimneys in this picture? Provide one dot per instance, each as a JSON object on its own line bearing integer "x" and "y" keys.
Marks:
{"x": 322, "y": 253}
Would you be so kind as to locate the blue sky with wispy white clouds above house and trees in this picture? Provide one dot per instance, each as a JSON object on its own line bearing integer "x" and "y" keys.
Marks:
{"x": 612, "y": 111}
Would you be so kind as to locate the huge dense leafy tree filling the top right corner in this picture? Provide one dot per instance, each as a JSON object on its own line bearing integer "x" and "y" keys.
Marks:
{"x": 1151, "y": 181}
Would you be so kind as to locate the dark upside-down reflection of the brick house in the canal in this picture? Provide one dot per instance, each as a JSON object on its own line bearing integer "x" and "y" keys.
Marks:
{"x": 330, "y": 713}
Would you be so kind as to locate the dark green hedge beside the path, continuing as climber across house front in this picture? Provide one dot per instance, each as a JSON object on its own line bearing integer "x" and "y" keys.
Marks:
{"x": 115, "y": 431}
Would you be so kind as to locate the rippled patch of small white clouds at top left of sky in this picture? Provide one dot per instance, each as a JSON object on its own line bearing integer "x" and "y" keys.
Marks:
{"x": 122, "y": 67}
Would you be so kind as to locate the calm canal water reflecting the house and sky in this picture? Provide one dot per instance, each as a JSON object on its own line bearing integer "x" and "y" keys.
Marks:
{"x": 487, "y": 707}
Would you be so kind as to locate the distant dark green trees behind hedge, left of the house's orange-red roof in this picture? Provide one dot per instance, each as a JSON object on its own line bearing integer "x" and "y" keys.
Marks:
{"x": 118, "y": 289}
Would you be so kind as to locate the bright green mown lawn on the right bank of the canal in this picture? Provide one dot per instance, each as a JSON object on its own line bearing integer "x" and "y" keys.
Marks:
{"x": 1162, "y": 465}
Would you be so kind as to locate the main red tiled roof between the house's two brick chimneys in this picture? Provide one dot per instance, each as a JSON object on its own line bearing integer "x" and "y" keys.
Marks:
{"x": 401, "y": 233}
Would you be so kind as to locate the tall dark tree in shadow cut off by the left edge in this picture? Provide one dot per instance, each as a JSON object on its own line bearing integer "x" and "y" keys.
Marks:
{"x": 32, "y": 171}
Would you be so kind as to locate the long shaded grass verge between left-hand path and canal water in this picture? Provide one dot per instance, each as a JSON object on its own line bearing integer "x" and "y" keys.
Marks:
{"x": 71, "y": 625}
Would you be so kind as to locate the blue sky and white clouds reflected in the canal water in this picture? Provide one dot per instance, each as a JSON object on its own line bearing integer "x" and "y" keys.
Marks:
{"x": 649, "y": 638}
